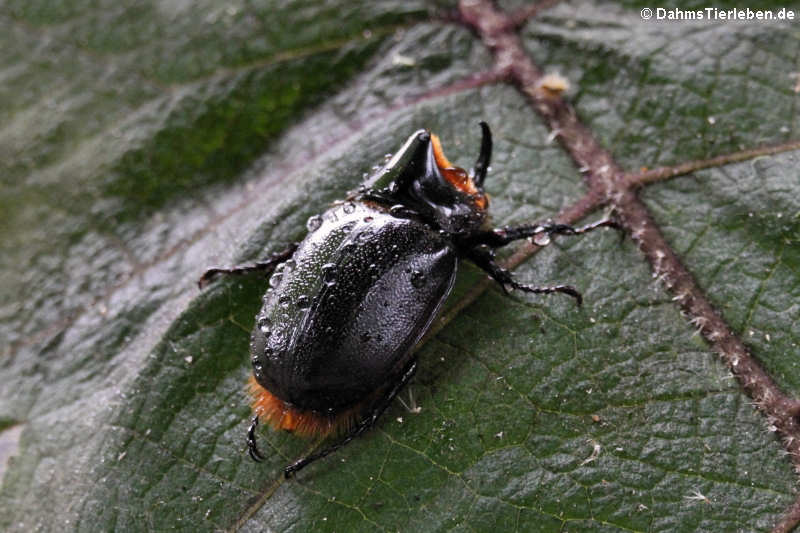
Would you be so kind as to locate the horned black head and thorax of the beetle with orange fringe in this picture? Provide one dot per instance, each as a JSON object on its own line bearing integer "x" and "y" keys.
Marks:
{"x": 421, "y": 178}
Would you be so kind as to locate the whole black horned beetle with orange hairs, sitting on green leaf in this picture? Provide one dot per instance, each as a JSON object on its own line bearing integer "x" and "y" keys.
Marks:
{"x": 332, "y": 344}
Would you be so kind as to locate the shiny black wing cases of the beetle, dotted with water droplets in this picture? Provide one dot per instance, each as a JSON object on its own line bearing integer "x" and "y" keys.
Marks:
{"x": 341, "y": 317}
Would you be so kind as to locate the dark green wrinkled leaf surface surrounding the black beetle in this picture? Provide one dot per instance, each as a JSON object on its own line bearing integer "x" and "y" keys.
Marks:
{"x": 142, "y": 142}
